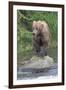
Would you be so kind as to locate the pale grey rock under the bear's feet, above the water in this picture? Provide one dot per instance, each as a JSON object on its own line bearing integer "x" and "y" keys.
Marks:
{"x": 39, "y": 62}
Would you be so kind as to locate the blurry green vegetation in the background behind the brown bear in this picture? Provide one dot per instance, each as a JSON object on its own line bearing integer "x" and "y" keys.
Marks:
{"x": 24, "y": 31}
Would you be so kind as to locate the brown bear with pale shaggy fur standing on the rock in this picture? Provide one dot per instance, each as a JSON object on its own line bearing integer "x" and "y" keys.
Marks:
{"x": 41, "y": 37}
